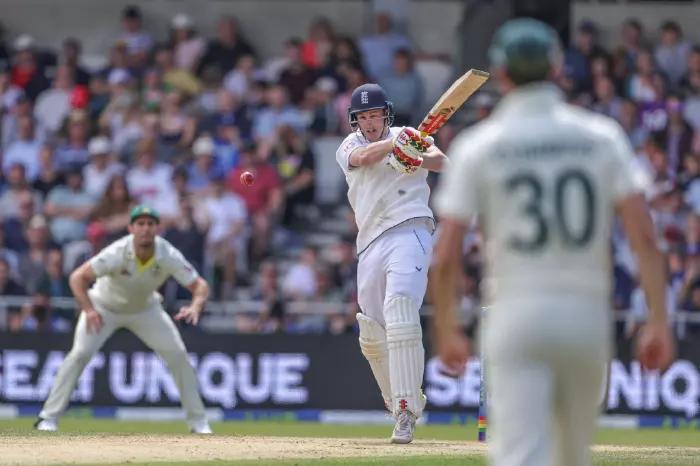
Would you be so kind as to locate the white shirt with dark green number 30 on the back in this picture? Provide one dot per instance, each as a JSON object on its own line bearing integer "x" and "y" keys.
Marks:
{"x": 543, "y": 177}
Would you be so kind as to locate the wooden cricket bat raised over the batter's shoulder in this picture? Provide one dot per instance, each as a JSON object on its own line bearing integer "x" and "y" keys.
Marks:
{"x": 450, "y": 101}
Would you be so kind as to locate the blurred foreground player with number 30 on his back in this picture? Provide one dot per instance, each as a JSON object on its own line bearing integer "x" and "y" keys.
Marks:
{"x": 546, "y": 180}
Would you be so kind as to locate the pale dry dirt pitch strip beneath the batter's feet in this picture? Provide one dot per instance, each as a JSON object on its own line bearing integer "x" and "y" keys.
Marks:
{"x": 67, "y": 449}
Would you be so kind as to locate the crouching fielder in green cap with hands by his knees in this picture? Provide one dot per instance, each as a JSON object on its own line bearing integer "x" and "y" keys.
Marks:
{"x": 128, "y": 273}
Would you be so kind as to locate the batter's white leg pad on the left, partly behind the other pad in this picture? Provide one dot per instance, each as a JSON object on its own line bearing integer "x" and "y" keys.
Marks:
{"x": 373, "y": 347}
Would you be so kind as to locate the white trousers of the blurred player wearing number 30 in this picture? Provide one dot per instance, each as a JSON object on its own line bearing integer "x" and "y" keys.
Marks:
{"x": 545, "y": 362}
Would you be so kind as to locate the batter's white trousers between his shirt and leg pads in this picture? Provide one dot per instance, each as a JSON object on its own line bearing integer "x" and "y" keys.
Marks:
{"x": 395, "y": 264}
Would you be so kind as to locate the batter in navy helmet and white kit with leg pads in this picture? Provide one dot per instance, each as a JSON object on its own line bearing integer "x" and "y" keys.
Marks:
{"x": 386, "y": 170}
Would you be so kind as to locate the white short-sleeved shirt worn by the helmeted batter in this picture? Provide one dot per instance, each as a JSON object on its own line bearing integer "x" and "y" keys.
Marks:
{"x": 380, "y": 196}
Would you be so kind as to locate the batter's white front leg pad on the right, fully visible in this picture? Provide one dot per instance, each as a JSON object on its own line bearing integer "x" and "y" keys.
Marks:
{"x": 406, "y": 355}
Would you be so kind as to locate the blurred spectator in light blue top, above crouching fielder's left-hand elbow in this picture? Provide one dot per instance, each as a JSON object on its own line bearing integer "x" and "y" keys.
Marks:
{"x": 68, "y": 208}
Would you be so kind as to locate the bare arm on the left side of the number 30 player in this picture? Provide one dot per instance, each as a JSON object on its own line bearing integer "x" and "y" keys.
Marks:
{"x": 451, "y": 345}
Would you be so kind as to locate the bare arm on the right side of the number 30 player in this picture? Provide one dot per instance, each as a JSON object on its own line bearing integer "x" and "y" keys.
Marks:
{"x": 655, "y": 343}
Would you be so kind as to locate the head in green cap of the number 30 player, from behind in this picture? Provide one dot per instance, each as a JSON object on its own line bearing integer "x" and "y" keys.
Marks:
{"x": 527, "y": 49}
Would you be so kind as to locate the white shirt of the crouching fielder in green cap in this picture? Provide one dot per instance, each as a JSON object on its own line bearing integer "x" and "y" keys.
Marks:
{"x": 124, "y": 285}
